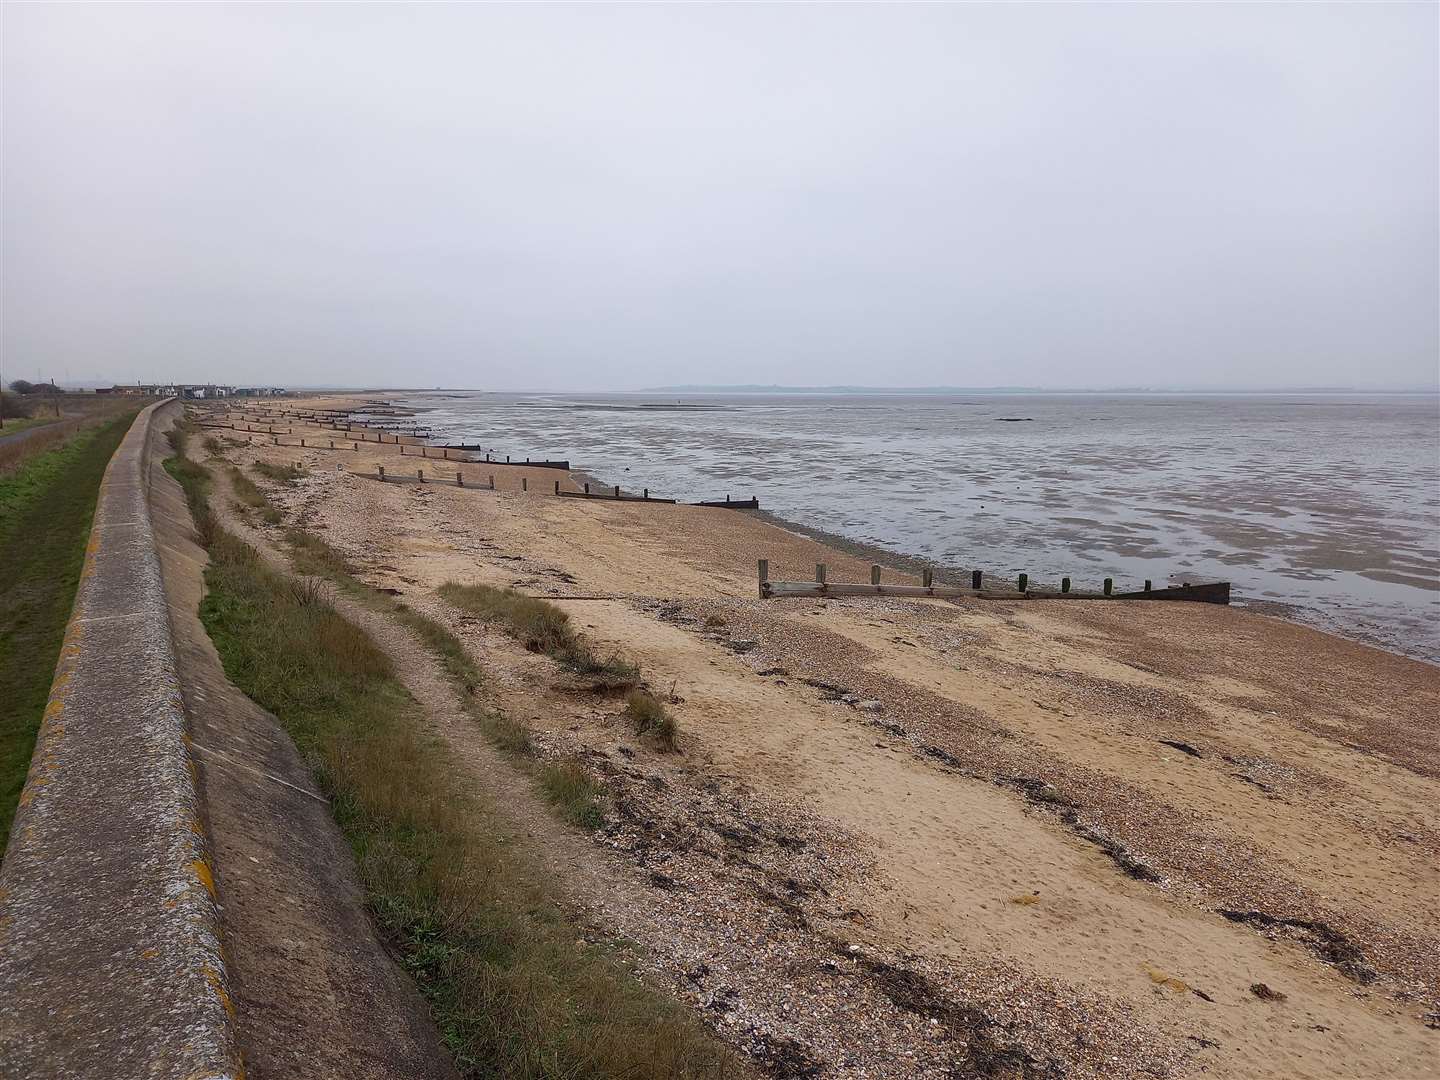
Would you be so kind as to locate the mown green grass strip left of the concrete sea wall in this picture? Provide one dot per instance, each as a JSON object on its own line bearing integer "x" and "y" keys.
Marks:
{"x": 47, "y": 508}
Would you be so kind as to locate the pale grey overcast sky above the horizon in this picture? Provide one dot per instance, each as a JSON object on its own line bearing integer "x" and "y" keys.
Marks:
{"x": 624, "y": 197}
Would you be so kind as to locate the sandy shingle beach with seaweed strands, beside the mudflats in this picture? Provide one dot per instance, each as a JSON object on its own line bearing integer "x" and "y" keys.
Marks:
{"x": 1040, "y": 839}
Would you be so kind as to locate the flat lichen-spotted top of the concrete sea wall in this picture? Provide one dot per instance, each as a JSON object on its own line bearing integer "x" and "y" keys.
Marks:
{"x": 112, "y": 963}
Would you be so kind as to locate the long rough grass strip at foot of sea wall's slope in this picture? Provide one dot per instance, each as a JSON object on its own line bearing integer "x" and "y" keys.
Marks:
{"x": 469, "y": 908}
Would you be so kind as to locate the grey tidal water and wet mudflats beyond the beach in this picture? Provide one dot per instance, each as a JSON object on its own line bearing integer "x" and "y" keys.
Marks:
{"x": 1326, "y": 503}
